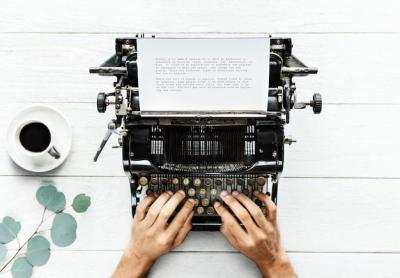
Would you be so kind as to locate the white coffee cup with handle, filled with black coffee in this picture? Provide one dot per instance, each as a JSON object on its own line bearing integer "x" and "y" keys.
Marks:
{"x": 34, "y": 139}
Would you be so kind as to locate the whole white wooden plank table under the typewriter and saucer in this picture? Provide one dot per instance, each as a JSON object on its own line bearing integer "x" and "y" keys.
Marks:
{"x": 339, "y": 202}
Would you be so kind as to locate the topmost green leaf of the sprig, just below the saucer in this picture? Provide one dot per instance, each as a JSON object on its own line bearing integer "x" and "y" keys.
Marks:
{"x": 50, "y": 198}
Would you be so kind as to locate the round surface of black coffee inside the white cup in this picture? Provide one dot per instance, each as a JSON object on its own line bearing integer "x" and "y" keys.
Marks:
{"x": 35, "y": 137}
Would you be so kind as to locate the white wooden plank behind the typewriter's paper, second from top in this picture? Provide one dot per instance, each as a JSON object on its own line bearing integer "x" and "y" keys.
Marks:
{"x": 54, "y": 67}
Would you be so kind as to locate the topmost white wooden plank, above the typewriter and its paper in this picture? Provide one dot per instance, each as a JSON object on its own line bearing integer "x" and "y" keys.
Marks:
{"x": 196, "y": 16}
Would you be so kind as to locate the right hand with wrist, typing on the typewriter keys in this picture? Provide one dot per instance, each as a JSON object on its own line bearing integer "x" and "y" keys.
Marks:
{"x": 259, "y": 240}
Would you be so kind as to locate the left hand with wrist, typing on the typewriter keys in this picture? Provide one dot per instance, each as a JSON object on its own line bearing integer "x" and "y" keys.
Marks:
{"x": 152, "y": 236}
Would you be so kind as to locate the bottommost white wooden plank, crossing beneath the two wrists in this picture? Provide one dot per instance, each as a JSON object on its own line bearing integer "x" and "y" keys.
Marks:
{"x": 216, "y": 265}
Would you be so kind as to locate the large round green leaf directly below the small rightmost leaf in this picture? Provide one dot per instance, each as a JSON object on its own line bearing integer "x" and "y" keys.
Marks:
{"x": 63, "y": 230}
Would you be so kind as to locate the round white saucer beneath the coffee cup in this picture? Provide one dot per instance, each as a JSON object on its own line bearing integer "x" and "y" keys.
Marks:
{"x": 61, "y": 136}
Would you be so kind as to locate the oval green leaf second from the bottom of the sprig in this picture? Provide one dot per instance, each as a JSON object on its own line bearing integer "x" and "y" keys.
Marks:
{"x": 38, "y": 251}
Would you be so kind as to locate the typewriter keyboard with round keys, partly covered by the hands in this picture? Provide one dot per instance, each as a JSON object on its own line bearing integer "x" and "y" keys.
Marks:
{"x": 205, "y": 190}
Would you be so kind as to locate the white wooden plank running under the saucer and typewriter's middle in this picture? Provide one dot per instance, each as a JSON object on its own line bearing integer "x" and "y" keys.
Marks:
{"x": 343, "y": 141}
